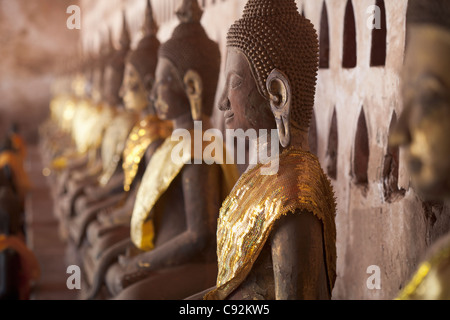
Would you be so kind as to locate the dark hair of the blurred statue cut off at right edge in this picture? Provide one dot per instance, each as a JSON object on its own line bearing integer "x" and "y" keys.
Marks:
{"x": 434, "y": 12}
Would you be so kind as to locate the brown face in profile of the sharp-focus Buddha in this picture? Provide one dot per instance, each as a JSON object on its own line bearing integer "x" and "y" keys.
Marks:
{"x": 244, "y": 107}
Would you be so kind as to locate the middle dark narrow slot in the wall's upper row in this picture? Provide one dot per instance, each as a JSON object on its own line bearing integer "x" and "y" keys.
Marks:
{"x": 349, "y": 58}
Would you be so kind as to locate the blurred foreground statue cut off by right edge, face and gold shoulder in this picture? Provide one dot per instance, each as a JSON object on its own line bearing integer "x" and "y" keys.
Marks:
{"x": 423, "y": 130}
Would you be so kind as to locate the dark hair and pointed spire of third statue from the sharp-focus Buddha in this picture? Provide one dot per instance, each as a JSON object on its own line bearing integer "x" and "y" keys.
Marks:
{"x": 144, "y": 58}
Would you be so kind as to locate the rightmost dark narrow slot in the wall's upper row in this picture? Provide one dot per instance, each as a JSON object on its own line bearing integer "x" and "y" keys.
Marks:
{"x": 379, "y": 33}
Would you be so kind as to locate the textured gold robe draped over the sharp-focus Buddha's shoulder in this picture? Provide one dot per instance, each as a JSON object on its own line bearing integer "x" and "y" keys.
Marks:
{"x": 257, "y": 201}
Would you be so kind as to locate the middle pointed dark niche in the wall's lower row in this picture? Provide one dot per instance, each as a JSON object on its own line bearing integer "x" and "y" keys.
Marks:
{"x": 361, "y": 151}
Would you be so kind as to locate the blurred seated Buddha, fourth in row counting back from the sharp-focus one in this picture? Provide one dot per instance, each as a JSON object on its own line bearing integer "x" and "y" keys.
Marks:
{"x": 85, "y": 195}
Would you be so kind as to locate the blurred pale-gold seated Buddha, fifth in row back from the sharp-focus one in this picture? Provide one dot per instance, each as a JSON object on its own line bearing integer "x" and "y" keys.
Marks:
{"x": 84, "y": 113}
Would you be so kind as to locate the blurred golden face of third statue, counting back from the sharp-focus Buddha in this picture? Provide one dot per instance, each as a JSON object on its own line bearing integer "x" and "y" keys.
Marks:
{"x": 132, "y": 91}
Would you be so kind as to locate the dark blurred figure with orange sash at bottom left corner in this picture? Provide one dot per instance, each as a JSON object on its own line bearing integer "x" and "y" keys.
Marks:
{"x": 19, "y": 268}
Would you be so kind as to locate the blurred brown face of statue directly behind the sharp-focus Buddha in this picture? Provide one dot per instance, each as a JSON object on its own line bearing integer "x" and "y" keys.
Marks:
{"x": 168, "y": 94}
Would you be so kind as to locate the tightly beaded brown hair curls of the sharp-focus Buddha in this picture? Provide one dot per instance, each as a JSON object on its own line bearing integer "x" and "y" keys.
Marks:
{"x": 272, "y": 34}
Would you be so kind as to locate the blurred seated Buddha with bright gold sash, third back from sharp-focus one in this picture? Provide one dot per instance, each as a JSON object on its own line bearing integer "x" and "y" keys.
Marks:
{"x": 147, "y": 135}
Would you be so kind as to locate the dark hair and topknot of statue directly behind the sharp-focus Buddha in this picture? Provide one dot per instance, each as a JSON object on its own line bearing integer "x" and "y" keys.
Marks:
{"x": 190, "y": 48}
